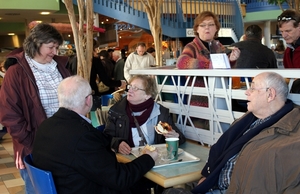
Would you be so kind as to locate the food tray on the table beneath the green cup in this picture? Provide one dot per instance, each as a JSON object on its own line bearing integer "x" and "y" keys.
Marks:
{"x": 183, "y": 156}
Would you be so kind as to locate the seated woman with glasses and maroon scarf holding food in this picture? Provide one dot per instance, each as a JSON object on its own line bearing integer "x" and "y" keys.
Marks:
{"x": 132, "y": 119}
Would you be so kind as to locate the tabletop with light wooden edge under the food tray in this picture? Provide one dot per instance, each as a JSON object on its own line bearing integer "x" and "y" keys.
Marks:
{"x": 181, "y": 173}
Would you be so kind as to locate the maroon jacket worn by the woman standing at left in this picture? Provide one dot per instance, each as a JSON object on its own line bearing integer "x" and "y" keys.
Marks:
{"x": 21, "y": 110}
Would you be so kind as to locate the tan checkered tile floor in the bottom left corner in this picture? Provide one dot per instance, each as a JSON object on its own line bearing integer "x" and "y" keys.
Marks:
{"x": 10, "y": 179}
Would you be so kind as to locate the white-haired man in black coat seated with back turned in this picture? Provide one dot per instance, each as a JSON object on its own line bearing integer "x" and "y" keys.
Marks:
{"x": 78, "y": 155}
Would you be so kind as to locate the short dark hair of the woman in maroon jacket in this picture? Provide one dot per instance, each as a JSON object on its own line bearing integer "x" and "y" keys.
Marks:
{"x": 41, "y": 34}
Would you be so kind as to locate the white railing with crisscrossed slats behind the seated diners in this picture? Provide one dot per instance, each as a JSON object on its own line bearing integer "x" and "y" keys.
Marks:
{"x": 218, "y": 90}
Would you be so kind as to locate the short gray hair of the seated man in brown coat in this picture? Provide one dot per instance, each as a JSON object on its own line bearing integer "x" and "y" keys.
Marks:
{"x": 276, "y": 81}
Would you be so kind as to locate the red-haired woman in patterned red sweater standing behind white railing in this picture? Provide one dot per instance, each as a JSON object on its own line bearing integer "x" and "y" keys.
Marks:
{"x": 196, "y": 55}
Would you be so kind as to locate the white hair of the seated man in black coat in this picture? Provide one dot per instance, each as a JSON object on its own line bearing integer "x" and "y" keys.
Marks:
{"x": 72, "y": 92}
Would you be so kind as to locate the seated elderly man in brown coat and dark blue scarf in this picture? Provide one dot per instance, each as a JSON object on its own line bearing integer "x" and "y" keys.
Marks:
{"x": 259, "y": 152}
